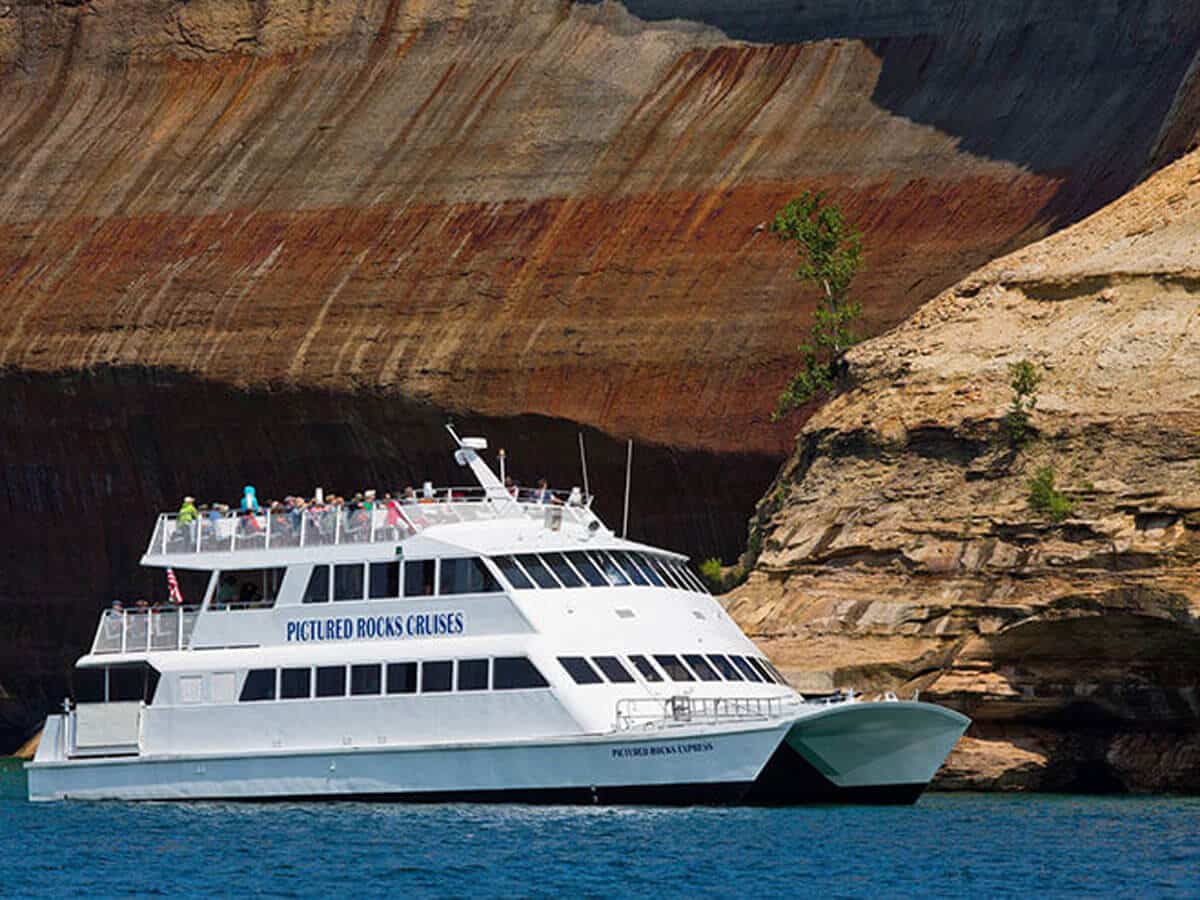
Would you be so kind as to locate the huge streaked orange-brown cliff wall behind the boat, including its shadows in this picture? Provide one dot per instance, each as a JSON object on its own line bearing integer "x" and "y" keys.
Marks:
{"x": 343, "y": 218}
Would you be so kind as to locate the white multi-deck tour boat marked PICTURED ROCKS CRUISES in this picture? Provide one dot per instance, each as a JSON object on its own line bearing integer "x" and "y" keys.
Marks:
{"x": 475, "y": 646}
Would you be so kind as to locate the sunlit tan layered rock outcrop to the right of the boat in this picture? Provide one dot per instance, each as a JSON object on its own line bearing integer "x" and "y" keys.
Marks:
{"x": 901, "y": 550}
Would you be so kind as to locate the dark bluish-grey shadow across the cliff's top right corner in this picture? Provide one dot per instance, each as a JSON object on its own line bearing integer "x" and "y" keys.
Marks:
{"x": 1078, "y": 91}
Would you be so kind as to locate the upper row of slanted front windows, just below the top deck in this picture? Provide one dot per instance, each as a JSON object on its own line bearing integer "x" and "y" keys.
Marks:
{"x": 598, "y": 569}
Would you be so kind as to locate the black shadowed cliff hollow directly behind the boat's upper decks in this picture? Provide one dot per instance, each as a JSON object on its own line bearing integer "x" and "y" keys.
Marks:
{"x": 91, "y": 459}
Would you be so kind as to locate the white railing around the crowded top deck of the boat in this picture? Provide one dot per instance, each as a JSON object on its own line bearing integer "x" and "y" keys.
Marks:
{"x": 338, "y": 525}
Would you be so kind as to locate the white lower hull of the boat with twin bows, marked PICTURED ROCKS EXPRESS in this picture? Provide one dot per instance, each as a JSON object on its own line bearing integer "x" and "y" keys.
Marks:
{"x": 854, "y": 753}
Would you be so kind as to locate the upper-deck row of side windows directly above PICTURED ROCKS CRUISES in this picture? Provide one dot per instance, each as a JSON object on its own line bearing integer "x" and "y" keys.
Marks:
{"x": 388, "y": 581}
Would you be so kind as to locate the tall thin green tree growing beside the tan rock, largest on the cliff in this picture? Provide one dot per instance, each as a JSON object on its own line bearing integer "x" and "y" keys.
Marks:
{"x": 831, "y": 254}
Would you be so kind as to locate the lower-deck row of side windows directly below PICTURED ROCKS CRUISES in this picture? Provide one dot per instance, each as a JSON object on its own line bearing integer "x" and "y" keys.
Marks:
{"x": 375, "y": 679}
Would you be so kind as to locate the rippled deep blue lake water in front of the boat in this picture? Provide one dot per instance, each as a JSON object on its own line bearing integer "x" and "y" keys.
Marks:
{"x": 947, "y": 845}
